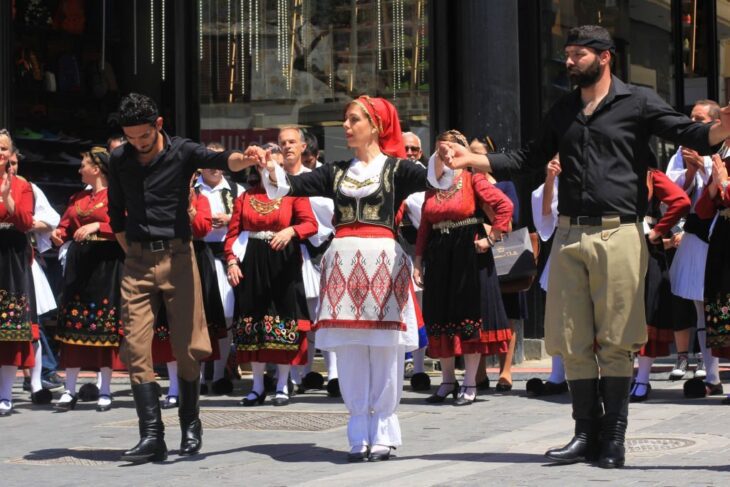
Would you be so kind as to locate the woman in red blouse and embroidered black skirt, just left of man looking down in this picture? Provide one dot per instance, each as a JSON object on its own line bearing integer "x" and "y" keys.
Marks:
{"x": 89, "y": 318}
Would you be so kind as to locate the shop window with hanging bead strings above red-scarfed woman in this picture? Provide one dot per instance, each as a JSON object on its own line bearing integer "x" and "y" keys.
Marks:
{"x": 264, "y": 64}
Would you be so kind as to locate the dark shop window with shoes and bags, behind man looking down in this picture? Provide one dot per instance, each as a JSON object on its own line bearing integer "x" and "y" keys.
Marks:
{"x": 73, "y": 60}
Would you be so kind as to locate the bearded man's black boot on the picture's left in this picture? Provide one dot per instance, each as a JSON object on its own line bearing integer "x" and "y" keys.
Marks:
{"x": 586, "y": 412}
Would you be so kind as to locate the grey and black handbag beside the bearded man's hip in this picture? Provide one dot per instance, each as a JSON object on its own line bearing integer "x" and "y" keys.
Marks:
{"x": 515, "y": 260}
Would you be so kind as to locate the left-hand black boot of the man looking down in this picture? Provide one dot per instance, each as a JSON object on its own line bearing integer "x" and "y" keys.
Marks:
{"x": 151, "y": 446}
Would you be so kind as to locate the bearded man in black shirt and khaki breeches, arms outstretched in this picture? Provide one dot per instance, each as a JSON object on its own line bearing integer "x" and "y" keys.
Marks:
{"x": 601, "y": 132}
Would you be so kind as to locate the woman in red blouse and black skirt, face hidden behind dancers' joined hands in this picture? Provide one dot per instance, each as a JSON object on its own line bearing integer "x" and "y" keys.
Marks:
{"x": 264, "y": 265}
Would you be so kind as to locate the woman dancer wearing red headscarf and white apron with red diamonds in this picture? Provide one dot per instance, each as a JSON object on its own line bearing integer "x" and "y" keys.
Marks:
{"x": 366, "y": 310}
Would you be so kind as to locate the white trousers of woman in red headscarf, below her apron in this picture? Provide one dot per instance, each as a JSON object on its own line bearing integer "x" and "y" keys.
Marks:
{"x": 371, "y": 382}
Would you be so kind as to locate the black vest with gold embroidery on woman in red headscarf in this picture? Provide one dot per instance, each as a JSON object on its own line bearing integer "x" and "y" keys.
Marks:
{"x": 377, "y": 208}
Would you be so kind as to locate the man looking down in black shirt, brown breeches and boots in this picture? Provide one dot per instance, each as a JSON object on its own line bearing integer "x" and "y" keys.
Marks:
{"x": 149, "y": 187}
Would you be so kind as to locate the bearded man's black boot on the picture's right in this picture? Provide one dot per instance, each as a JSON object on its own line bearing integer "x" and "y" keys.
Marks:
{"x": 615, "y": 391}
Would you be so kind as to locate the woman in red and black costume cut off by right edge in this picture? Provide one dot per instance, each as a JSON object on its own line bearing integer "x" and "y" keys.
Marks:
{"x": 716, "y": 196}
